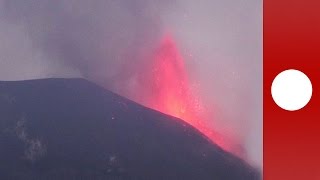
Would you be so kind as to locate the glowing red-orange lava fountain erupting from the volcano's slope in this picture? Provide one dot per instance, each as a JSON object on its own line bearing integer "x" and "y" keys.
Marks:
{"x": 170, "y": 91}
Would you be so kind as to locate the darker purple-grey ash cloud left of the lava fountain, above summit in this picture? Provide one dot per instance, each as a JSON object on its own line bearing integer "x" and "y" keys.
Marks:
{"x": 93, "y": 39}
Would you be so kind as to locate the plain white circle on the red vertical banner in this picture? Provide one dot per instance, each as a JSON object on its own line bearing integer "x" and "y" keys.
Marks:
{"x": 291, "y": 90}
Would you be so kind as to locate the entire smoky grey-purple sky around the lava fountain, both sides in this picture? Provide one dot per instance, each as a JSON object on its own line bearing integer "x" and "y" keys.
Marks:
{"x": 109, "y": 42}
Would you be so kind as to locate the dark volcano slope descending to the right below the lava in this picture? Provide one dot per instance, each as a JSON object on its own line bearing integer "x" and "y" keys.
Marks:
{"x": 72, "y": 129}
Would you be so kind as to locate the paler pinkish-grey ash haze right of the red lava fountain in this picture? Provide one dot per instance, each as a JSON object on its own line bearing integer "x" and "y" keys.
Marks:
{"x": 222, "y": 45}
